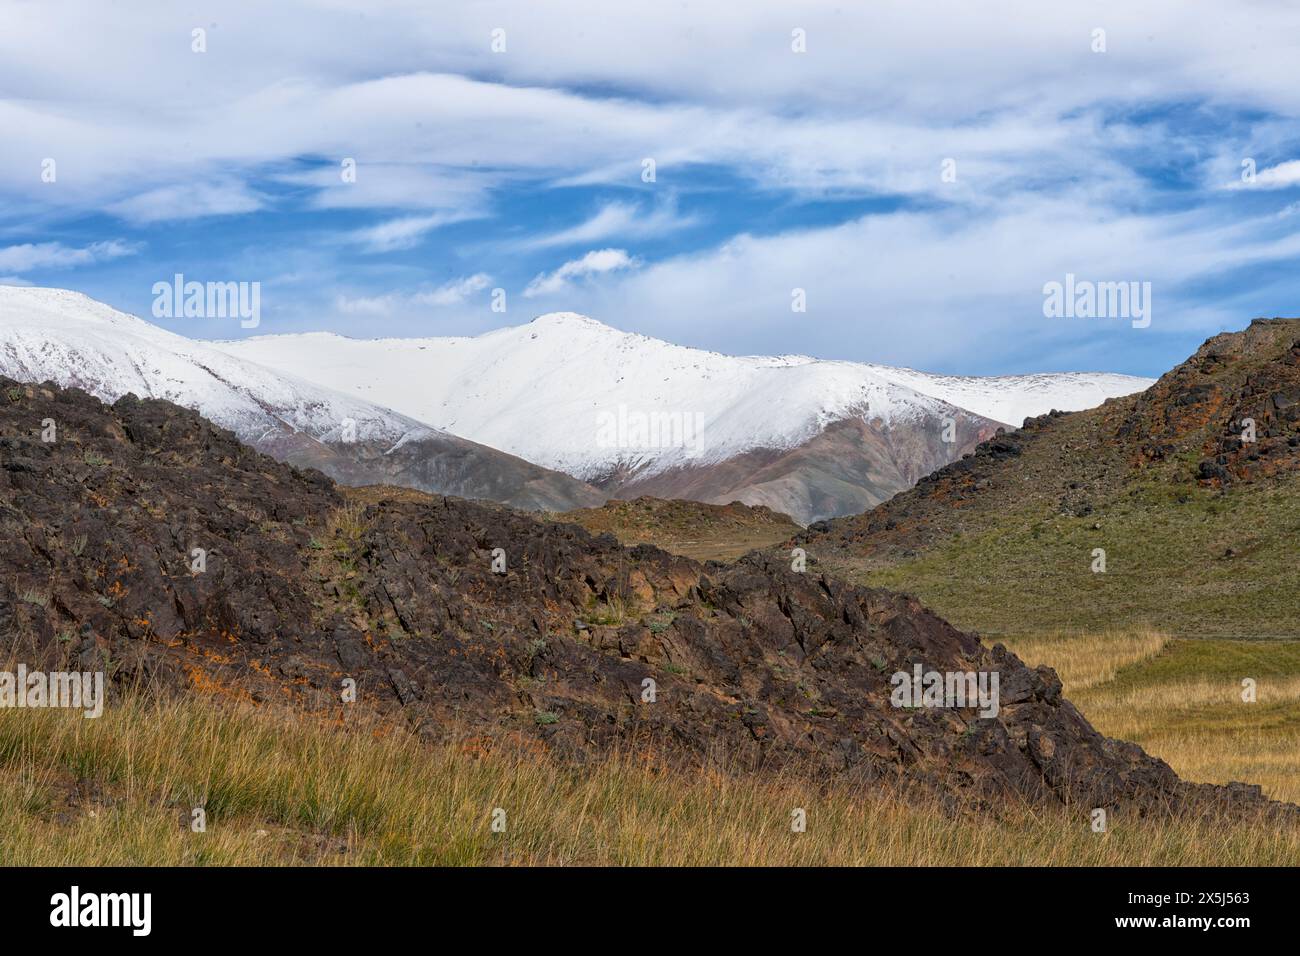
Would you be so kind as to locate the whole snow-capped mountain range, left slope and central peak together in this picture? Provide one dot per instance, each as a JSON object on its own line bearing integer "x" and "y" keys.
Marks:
{"x": 561, "y": 413}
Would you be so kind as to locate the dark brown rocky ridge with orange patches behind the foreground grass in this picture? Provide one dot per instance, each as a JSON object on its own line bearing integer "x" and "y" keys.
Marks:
{"x": 301, "y": 590}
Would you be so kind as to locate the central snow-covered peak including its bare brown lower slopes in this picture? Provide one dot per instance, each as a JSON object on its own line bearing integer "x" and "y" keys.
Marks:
{"x": 636, "y": 416}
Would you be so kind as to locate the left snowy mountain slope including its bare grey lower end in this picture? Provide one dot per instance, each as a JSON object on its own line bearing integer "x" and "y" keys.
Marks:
{"x": 72, "y": 340}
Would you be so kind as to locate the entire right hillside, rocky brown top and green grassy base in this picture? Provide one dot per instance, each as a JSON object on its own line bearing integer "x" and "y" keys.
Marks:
{"x": 1198, "y": 526}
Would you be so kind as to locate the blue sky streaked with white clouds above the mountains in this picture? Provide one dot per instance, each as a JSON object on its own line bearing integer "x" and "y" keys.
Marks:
{"x": 522, "y": 170}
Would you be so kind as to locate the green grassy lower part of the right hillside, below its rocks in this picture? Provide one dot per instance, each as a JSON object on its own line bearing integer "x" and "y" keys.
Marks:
{"x": 1190, "y": 563}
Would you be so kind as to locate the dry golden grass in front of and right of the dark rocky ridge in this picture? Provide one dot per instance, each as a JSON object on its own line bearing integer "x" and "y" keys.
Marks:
{"x": 293, "y": 790}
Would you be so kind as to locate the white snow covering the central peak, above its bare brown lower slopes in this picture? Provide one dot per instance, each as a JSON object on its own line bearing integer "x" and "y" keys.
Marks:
{"x": 552, "y": 390}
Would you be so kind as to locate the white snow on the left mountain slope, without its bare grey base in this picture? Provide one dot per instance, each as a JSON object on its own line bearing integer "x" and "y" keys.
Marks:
{"x": 73, "y": 340}
